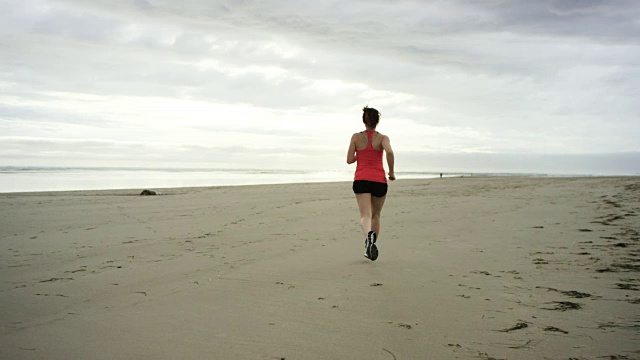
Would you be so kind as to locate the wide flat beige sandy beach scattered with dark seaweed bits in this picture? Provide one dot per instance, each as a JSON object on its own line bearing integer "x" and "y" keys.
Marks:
{"x": 471, "y": 268}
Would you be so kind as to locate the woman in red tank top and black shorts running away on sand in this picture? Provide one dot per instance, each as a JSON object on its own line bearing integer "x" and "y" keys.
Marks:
{"x": 370, "y": 181}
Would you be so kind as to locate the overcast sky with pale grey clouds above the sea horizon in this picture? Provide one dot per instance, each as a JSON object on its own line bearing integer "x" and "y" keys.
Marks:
{"x": 491, "y": 85}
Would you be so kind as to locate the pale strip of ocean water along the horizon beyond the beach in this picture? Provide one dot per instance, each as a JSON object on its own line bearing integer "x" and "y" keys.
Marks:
{"x": 31, "y": 179}
